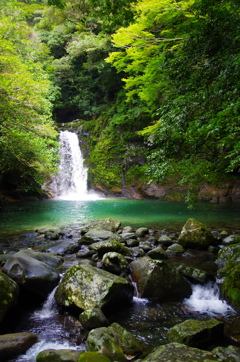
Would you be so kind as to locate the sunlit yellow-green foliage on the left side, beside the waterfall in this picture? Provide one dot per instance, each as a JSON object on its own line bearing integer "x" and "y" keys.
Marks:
{"x": 27, "y": 137}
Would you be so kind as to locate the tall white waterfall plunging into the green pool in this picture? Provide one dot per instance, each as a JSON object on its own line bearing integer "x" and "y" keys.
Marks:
{"x": 70, "y": 183}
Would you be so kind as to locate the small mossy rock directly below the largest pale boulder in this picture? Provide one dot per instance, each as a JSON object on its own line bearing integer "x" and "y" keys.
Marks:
{"x": 93, "y": 318}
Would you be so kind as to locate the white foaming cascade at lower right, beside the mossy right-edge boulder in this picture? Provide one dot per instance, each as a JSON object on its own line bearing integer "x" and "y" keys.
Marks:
{"x": 206, "y": 299}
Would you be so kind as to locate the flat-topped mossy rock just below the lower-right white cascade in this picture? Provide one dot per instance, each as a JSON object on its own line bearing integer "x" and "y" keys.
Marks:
{"x": 194, "y": 333}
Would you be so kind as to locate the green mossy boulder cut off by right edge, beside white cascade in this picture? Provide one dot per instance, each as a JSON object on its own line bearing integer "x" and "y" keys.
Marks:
{"x": 228, "y": 262}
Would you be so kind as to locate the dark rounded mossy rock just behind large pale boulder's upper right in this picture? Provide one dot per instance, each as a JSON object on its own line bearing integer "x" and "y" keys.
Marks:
{"x": 115, "y": 263}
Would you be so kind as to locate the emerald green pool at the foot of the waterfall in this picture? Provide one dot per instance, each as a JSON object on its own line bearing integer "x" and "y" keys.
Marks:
{"x": 159, "y": 214}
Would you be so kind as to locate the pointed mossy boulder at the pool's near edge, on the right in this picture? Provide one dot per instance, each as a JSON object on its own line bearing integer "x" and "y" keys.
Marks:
{"x": 195, "y": 235}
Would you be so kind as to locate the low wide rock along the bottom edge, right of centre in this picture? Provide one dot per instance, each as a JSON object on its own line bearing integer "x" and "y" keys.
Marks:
{"x": 180, "y": 353}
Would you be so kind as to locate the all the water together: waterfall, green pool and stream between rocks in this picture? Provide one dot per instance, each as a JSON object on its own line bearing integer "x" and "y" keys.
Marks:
{"x": 73, "y": 206}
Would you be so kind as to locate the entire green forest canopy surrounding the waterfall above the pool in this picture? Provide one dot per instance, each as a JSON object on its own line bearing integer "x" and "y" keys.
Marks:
{"x": 153, "y": 82}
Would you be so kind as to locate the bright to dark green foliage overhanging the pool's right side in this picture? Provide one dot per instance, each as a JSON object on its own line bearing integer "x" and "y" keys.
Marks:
{"x": 182, "y": 60}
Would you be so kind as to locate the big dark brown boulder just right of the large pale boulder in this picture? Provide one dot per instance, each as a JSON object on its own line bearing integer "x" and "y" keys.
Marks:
{"x": 157, "y": 280}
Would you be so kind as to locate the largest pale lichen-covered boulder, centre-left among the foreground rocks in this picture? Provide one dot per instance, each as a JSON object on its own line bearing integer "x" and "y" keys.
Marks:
{"x": 86, "y": 287}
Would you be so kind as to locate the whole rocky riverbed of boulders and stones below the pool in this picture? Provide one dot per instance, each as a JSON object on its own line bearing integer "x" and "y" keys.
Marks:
{"x": 100, "y": 270}
